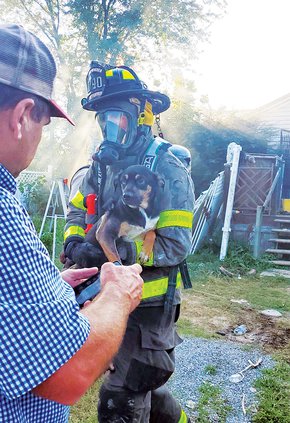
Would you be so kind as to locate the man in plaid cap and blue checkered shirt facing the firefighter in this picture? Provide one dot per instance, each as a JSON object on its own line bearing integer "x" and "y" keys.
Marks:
{"x": 50, "y": 352}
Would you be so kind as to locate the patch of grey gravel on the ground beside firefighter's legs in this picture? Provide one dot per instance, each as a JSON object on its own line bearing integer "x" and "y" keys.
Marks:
{"x": 192, "y": 358}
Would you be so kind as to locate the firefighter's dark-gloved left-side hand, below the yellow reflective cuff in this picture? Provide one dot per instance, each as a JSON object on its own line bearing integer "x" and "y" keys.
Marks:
{"x": 85, "y": 254}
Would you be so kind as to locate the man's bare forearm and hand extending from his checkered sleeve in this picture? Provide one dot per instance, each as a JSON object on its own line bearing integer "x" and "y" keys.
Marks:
{"x": 108, "y": 315}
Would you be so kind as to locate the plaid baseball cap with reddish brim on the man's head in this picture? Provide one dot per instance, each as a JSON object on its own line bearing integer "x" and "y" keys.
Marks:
{"x": 27, "y": 64}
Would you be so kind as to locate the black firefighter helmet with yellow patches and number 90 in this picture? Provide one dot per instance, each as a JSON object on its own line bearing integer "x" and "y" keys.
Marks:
{"x": 105, "y": 82}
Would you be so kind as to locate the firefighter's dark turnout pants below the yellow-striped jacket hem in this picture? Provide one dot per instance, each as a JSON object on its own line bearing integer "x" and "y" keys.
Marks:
{"x": 134, "y": 392}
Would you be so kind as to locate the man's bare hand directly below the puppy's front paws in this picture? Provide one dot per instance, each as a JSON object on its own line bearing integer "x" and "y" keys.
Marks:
{"x": 125, "y": 280}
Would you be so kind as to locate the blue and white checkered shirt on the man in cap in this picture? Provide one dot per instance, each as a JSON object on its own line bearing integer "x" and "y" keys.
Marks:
{"x": 40, "y": 327}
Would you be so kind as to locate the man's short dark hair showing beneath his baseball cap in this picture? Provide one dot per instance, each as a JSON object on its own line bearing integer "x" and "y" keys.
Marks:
{"x": 10, "y": 96}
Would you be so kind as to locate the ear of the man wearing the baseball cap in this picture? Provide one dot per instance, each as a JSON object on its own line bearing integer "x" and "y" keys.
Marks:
{"x": 21, "y": 117}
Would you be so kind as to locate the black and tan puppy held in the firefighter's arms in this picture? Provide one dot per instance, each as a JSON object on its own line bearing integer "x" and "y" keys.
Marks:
{"x": 133, "y": 215}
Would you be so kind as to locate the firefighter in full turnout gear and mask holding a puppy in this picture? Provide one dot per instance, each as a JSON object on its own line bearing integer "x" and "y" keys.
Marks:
{"x": 124, "y": 109}
